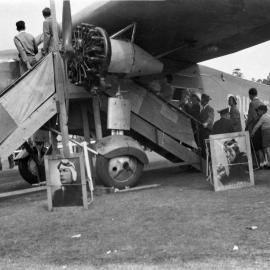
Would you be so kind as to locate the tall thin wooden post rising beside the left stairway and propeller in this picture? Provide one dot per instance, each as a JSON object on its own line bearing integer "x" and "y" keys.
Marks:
{"x": 60, "y": 84}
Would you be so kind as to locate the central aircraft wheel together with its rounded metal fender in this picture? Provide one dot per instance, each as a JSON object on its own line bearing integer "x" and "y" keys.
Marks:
{"x": 120, "y": 161}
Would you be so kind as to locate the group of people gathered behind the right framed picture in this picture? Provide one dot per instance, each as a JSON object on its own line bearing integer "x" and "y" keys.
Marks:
{"x": 257, "y": 122}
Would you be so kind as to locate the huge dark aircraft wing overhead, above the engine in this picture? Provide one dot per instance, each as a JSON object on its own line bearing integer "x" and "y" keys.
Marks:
{"x": 185, "y": 30}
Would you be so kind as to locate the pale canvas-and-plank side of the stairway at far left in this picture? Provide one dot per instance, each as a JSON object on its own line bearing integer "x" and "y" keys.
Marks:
{"x": 26, "y": 105}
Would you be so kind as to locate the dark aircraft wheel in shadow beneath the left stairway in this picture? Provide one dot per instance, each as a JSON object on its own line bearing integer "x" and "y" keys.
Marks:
{"x": 29, "y": 170}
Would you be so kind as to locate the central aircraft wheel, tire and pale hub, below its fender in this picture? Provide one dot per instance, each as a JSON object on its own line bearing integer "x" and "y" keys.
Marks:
{"x": 119, "y": 172}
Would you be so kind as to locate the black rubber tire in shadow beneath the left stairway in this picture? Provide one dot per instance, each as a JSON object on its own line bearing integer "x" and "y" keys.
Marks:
{"x": 26, "y": 174}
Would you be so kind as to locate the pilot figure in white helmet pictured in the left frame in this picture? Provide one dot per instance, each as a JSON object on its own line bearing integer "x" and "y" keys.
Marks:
{"x": 70, "y": 193}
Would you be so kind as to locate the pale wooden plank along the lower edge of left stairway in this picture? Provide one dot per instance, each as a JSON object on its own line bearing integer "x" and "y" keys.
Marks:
{"x": 28, "y": 127}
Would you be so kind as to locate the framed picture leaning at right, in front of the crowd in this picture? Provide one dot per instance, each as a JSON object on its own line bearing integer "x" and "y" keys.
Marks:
{"x": 231, "y": 160}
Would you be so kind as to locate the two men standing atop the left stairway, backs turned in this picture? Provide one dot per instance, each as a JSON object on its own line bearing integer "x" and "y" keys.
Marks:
{"x": 27, "y": 46}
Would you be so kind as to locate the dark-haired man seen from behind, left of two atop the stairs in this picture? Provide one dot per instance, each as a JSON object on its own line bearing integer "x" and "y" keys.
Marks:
{"x": 26, "y": 46}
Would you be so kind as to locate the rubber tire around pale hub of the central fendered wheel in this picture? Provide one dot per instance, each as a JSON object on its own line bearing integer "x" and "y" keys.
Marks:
{"x": 102, "y": 165}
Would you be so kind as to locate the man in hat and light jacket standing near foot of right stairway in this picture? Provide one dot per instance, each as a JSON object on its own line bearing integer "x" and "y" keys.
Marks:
{"x": 207, "y": 119}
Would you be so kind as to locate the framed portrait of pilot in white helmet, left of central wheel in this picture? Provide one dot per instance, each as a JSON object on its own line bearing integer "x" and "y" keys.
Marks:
{"x": 66, "y": 184}
